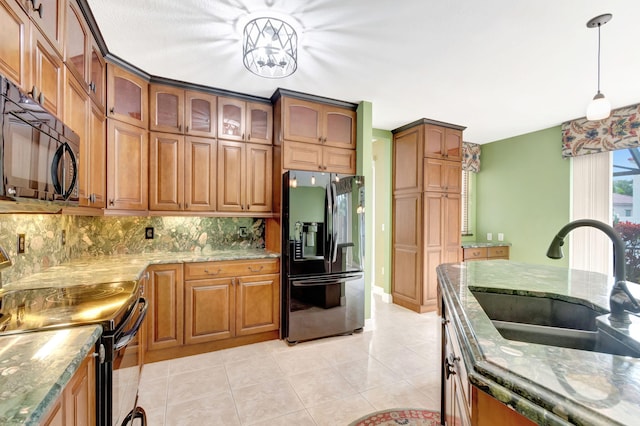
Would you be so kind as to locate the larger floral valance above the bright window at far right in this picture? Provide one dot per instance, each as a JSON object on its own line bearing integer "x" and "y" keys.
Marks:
{"x": 619, "y": 131}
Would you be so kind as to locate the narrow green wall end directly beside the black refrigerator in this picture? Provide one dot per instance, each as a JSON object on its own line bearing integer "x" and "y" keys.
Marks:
{"x": 364, "y": 168}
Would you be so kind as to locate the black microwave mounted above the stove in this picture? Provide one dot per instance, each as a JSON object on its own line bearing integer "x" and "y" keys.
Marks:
{"x": 39, "y": 154}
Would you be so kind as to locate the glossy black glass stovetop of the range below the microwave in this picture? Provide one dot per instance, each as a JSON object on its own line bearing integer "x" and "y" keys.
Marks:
{"x": 54, "y": 307}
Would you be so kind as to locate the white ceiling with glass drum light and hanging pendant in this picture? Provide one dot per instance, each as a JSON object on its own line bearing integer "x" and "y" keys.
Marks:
{"x": 500, "y": 67}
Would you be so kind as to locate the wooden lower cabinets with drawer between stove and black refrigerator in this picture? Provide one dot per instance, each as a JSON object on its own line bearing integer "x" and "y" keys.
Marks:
{"x": 205, "y": 306}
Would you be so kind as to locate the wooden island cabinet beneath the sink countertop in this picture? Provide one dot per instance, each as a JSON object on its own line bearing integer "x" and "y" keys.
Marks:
{"x": 462, "y": 403}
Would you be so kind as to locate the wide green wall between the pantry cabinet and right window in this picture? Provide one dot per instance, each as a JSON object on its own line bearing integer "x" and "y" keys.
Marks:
{"x": 523, "y": 191}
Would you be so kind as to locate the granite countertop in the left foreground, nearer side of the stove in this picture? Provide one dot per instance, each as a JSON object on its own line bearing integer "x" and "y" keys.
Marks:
{"x": 34, "y": 370}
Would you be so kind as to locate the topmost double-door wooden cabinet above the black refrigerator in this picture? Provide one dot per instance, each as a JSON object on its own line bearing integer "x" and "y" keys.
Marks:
{"x": 312, "y": 122}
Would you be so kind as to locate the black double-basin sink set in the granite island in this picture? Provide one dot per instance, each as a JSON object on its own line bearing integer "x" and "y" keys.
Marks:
{"x": 553, "y": 322}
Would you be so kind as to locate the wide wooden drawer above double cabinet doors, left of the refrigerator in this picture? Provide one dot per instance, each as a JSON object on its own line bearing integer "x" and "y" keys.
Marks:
{"x": 202, "y": 270}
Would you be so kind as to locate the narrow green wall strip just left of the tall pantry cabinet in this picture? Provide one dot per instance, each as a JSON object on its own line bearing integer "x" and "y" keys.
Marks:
{"x": 382, "y": 161}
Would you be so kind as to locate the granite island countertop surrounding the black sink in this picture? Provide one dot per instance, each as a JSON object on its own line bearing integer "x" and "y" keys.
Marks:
{"x": 548, "y": 384}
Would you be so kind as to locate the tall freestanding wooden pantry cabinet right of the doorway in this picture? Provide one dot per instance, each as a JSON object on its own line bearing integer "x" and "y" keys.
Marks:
{"x": 427, "y": 169}
